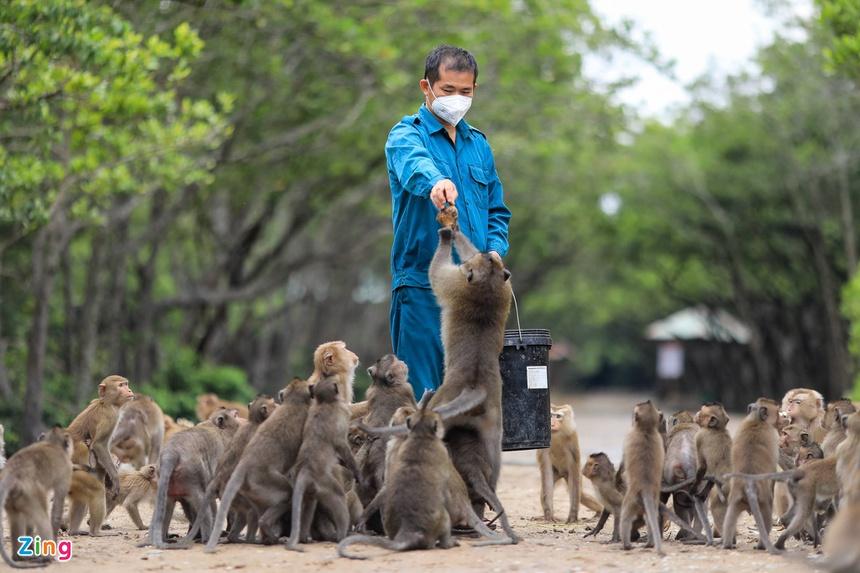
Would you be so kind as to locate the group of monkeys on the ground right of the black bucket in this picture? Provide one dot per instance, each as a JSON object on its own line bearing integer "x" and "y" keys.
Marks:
{"x": 694, "y": 459}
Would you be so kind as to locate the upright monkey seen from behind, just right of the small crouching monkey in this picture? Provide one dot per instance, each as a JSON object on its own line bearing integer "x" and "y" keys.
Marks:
{"x": 643, "y": 466}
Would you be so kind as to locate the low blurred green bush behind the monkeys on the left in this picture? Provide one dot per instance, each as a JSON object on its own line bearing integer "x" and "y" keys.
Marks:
{"x": 185, "y": 376}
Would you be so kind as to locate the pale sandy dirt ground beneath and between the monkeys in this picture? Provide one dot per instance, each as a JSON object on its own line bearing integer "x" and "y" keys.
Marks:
{"x": 546, "y": 546}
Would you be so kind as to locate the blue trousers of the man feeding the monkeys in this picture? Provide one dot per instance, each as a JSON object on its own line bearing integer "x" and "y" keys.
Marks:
{"x": 416, "y": 336}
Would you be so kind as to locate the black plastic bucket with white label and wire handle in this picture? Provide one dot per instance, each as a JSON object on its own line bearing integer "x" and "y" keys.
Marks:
{"x": 525, "y": 389}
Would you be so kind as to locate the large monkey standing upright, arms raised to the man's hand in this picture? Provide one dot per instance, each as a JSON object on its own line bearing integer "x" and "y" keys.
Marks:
{"x": 475, "y": 299}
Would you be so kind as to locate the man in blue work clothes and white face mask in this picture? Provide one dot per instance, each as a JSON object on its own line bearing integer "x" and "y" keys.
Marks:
{"x": 435, "y": 157}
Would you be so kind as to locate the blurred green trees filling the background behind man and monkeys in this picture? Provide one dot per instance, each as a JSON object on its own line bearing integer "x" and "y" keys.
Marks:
{"x": 194, "y": 194}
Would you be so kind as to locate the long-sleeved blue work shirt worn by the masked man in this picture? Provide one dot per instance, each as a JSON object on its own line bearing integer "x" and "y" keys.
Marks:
{"x": 419, "y": 154}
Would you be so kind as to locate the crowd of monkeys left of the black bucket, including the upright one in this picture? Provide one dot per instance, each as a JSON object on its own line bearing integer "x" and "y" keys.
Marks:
{"x": 314, "y": 466}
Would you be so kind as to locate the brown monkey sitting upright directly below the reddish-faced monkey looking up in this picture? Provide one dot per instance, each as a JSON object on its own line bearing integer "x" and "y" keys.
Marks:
{"x": 315, "y": 475}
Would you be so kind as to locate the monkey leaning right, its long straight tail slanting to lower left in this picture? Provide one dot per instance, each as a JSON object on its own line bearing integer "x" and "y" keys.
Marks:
{"x": 260, "y": 475}
